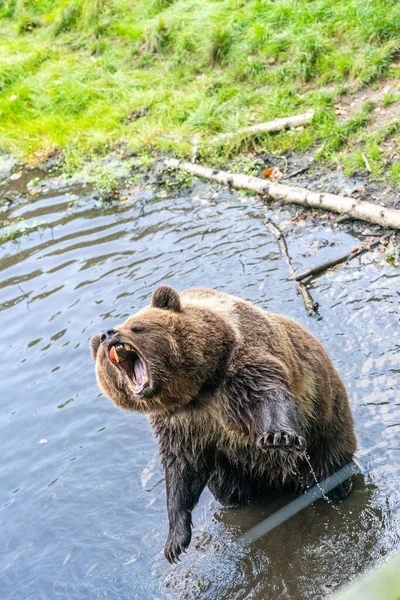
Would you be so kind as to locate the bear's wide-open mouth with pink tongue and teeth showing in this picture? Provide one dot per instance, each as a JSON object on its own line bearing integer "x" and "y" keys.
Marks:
{"x": 131, "y": 365}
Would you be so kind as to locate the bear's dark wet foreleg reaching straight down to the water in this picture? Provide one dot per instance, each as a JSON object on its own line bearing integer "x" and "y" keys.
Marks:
{"x": 184, "y": 483}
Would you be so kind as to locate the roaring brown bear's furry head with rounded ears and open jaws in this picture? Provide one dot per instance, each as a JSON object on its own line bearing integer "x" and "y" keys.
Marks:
{"x": 162, "y": 357}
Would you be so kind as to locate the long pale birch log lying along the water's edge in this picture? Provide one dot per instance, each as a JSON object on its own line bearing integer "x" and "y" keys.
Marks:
{"x": 357, "y": 209}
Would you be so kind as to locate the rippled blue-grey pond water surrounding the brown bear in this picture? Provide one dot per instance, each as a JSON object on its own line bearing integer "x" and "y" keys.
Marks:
{"x": 83, "y": 512}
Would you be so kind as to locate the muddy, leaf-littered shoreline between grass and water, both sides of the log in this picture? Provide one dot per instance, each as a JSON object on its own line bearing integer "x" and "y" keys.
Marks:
{"x": 121, "y": 176}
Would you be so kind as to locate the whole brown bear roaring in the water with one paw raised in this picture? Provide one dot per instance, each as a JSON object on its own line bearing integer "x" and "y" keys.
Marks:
{"x": 235, "y": 395}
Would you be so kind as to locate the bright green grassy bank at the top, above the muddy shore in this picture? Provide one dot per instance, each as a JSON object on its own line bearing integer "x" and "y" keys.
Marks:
{"x": 72, "y": 72}
